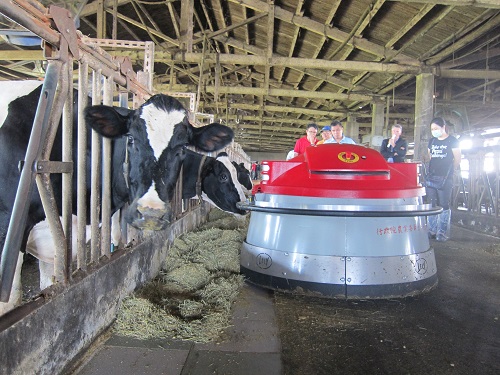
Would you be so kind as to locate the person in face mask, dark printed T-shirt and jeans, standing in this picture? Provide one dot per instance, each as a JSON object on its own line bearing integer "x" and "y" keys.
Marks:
{"x": 445, "y": 156}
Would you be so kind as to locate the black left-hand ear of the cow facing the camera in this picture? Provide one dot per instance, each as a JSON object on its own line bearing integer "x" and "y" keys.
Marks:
{"x": 108, "y": 121}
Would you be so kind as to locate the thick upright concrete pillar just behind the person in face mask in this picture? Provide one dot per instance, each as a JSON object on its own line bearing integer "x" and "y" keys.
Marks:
{"x": 424, "y": 112}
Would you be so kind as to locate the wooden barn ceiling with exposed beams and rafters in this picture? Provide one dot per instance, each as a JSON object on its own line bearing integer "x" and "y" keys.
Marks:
{"x": 268, "y": 68}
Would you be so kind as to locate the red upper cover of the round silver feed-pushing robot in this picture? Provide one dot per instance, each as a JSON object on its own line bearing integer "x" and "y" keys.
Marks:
{"x": 340, "y": 171}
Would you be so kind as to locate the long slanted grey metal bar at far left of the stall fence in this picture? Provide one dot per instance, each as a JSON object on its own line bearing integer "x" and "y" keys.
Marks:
{"x": 19, "y": 215}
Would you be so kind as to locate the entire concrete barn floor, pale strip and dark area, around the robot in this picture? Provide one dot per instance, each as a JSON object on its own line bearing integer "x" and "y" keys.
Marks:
{"x": 454, "y": 329}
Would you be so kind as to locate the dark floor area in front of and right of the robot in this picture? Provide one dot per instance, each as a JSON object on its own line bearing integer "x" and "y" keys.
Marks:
{"x": 454, "y": 329}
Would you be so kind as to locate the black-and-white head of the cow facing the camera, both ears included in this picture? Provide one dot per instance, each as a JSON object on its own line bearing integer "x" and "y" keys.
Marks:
{"x": 159, "y": 128}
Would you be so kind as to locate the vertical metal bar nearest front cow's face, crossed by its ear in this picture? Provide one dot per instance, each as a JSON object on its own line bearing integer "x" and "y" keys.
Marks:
{"x": 106, "y": 178}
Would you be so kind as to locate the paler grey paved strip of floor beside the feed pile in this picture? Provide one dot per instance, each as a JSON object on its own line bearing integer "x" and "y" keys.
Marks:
{"x": 250, "y": 347}
